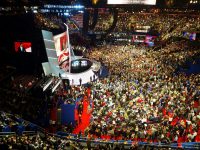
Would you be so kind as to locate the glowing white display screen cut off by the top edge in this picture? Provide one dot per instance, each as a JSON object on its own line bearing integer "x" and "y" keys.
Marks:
{"x": 122, "y": 2}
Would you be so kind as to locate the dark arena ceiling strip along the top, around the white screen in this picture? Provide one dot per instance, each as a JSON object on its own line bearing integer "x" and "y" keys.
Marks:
{"x": 183, "y": 4}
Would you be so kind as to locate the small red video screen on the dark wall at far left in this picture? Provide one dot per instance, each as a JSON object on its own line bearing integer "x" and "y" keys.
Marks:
{"x": 23, "y": 47}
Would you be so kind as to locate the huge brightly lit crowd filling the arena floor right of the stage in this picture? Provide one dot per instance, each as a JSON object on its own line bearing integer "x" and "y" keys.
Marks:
{"x": 143, "y": 98}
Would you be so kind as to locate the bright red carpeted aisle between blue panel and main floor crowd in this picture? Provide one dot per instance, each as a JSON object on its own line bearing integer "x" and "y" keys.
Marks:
{"x": 85, "y": 119}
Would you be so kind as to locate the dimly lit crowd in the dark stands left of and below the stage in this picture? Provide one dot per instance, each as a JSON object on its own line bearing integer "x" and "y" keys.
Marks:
{"x": 20, "y": 95}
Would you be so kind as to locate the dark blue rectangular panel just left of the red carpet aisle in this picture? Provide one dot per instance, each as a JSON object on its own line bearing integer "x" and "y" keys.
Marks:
{"x": 68, "y": 114}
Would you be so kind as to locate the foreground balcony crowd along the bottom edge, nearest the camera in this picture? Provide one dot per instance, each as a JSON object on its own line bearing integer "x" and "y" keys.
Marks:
{"x": 47, "y": 141}
